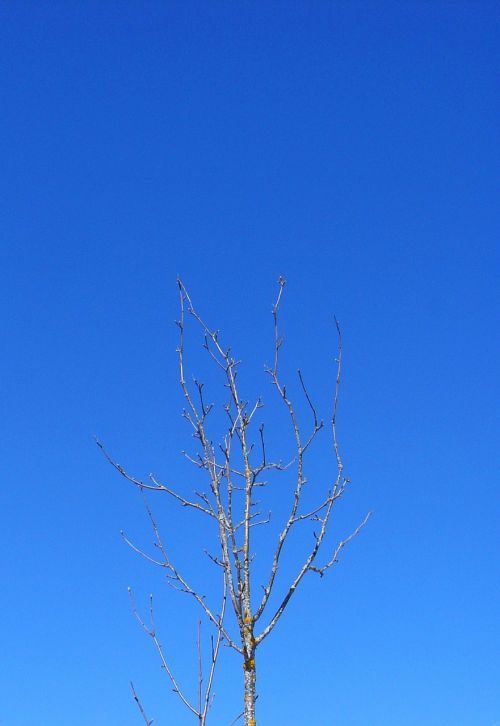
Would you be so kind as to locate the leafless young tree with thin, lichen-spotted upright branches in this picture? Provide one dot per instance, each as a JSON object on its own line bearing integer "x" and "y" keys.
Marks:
{"x": 235, "y": 468}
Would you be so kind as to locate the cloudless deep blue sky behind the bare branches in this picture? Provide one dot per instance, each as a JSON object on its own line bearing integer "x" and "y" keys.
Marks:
{"x": 349, "y": 146}
